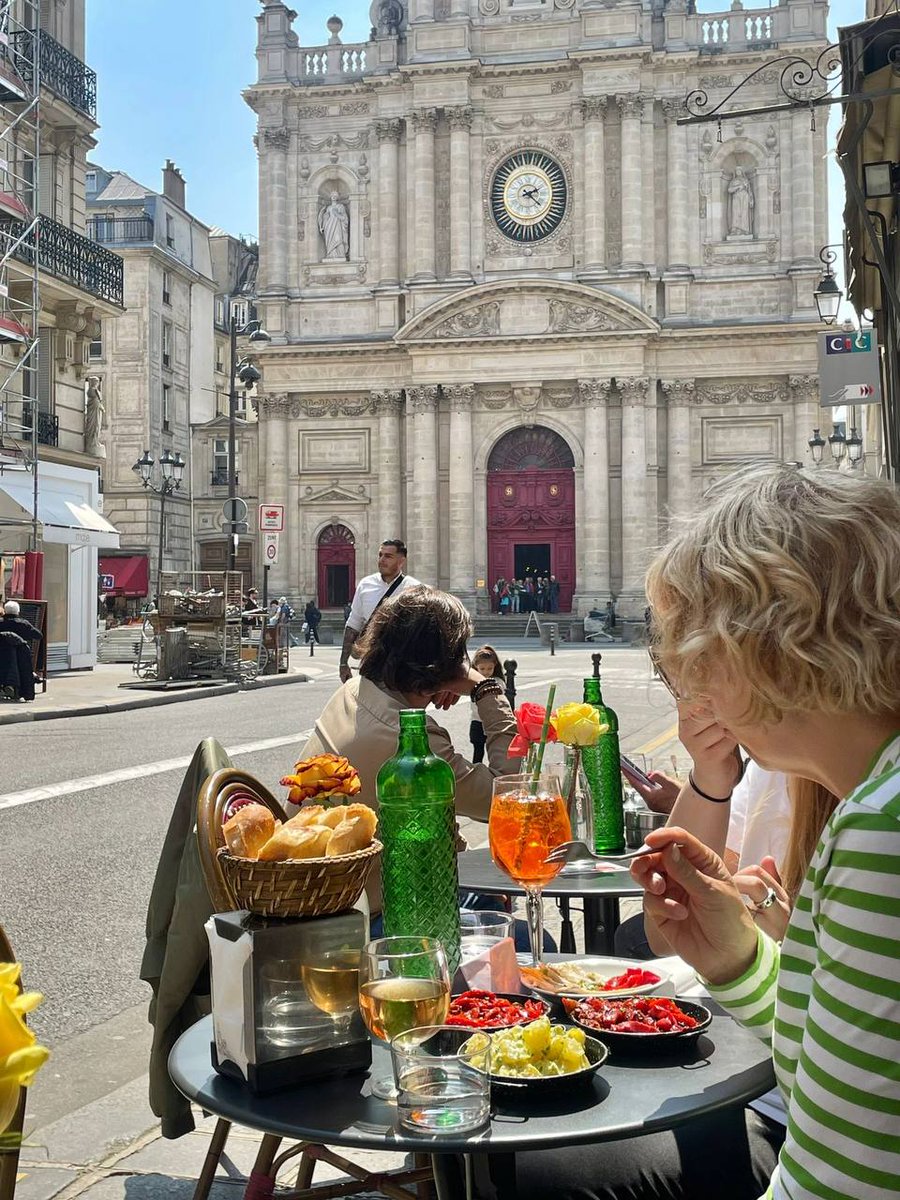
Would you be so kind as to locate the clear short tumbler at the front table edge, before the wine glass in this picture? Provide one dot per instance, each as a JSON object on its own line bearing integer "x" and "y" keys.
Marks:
{"x": 443, "y": 1079}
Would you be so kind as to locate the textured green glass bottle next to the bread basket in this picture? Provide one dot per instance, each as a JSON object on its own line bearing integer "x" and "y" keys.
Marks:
{"x": 418, "y": 827}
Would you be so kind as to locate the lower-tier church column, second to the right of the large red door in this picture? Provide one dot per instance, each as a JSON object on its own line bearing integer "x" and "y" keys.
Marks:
{"x": 634, "y": 493}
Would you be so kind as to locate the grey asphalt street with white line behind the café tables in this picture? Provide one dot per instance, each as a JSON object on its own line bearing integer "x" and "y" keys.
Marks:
{"x": 85, "y": 809}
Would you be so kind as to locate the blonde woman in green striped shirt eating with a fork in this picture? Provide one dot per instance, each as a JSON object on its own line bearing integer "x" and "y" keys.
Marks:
{"x": 779, "y": 609}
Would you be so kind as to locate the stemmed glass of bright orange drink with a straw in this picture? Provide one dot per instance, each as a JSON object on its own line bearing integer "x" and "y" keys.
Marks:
{"x": 529, "y": 819}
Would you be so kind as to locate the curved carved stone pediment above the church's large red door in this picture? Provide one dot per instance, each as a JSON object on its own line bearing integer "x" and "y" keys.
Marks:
{"x": 526, "y": 310}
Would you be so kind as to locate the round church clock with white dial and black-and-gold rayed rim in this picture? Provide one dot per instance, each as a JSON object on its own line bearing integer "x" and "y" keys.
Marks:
{"x": 529, "y": 196}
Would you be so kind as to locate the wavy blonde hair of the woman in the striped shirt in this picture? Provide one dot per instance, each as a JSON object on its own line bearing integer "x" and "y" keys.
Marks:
{"x": 790, "y": 580}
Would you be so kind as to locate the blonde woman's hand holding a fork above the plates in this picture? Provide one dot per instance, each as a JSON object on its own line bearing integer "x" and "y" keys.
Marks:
{"x": 692, "y": 902}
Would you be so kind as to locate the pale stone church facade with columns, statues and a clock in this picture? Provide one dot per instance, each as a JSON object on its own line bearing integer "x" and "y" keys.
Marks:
{"x": 519, "y": 314}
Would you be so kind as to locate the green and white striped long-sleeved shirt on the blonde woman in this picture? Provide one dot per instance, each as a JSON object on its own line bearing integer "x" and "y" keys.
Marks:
{"x": 830, "y": 1003}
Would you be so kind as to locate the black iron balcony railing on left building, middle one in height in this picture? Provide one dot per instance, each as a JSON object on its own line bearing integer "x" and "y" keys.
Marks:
{"x": 68, "y": 256}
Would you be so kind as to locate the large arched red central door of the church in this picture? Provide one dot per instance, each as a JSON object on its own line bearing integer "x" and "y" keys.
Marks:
{"x": 531, "y": 509}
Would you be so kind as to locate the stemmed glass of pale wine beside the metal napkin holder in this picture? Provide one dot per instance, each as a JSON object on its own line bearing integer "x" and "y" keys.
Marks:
{"x": 404, "y": 983}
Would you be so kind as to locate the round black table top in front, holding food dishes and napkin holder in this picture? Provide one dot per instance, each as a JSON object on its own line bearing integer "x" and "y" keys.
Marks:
{"x": 727, "y": 1067}
